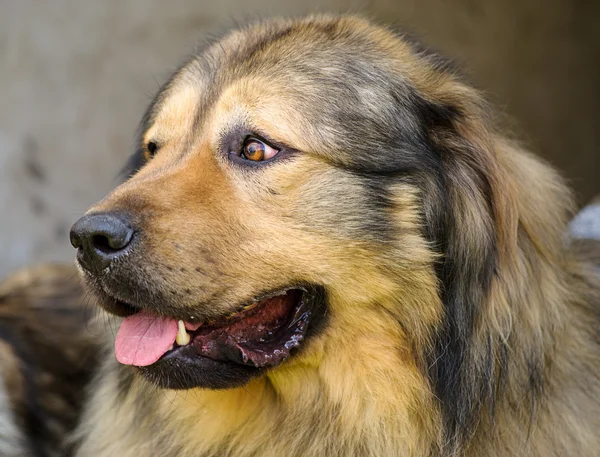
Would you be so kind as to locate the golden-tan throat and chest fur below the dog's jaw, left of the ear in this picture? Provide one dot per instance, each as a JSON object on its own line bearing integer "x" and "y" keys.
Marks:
{"x": 334, "y": 402}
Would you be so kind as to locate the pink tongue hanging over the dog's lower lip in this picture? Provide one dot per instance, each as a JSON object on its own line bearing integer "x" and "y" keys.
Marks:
{"x": 143, "y": 338}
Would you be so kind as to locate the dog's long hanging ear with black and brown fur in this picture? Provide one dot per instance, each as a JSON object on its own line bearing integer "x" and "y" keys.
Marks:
{"x": 470, "y": 218}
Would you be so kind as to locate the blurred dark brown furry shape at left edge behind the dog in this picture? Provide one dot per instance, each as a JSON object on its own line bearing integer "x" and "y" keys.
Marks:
{"x": 47, "y": 354}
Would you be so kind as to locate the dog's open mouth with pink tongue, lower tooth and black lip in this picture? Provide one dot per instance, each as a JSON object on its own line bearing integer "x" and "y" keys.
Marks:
{"x": 224, "y": 352}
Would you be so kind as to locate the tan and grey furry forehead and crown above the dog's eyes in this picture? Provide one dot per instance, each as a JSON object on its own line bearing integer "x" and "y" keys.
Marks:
{"x": 307, "y": 84}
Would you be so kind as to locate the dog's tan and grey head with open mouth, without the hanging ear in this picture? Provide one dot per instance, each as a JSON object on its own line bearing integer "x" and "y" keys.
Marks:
{"x": 292, "y": 183}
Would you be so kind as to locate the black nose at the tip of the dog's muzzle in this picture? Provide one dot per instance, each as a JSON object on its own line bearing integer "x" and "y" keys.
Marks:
{"x": 100, "y": 239}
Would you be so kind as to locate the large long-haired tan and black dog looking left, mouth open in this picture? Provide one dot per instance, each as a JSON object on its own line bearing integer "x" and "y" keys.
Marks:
{"x": 327, "y": 247}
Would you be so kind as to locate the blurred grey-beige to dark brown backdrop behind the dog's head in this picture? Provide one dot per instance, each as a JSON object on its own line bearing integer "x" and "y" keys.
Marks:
{"x": 76, "y": 76}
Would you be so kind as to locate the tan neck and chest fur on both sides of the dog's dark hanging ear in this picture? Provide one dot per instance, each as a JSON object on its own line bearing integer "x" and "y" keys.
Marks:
{"x": 368, "y": 395}
